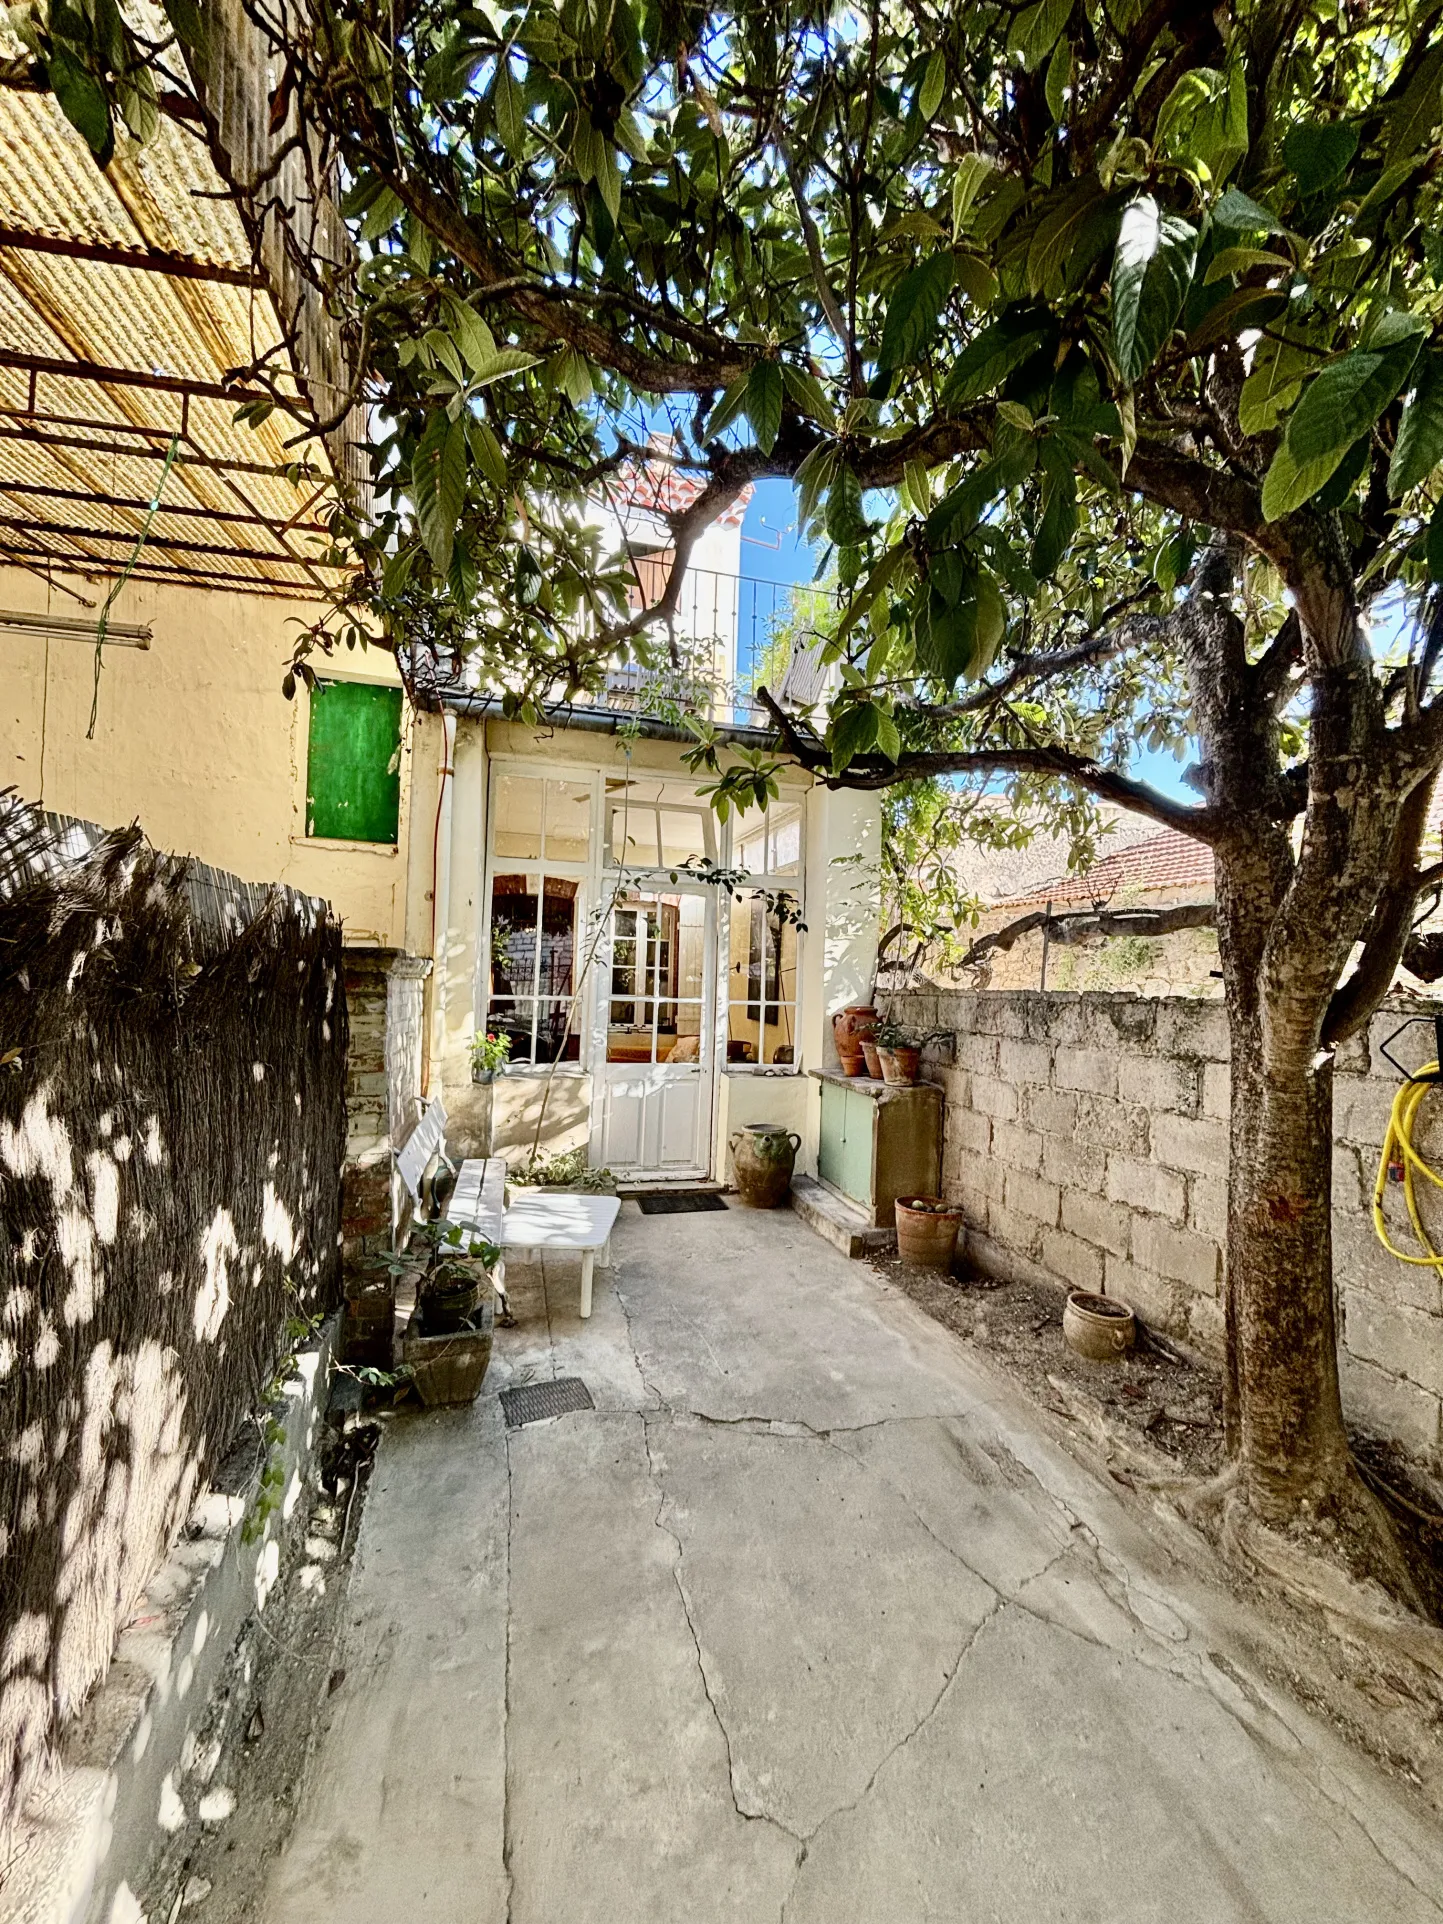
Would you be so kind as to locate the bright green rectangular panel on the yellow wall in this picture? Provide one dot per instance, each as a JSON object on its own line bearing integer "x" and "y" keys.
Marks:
{"x": 353, "y": 763}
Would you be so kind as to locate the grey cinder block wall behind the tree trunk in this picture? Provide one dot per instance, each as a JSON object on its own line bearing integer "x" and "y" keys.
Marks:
{"x": 1086, "y": 1138}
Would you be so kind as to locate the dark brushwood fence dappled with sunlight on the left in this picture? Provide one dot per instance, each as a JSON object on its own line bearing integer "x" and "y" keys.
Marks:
{"x": 172, "y": 1127}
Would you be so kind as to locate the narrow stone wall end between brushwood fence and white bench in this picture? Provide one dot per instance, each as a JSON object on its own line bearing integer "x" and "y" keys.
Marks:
{"x": 386, "y": 1000}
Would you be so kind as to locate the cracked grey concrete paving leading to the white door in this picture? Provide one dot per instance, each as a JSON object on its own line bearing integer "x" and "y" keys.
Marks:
{"x": 807, "y": 1625}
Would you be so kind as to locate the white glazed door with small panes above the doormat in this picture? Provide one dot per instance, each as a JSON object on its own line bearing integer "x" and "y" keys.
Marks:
{"x": 655, "y": 1042}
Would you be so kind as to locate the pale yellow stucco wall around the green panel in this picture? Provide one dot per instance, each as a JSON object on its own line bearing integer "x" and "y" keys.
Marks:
{"x": 195, "y": 740}
